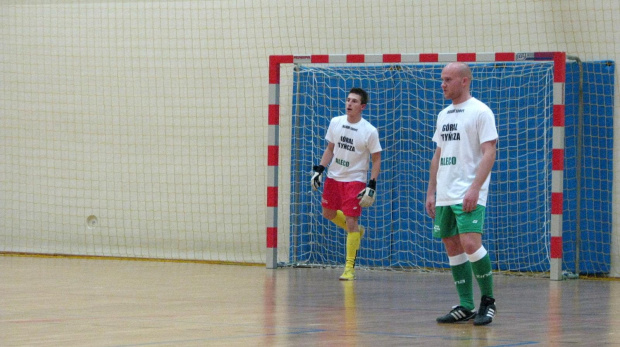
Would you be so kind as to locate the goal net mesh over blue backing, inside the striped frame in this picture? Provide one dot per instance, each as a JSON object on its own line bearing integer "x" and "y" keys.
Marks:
{"x": 404, "y": 100}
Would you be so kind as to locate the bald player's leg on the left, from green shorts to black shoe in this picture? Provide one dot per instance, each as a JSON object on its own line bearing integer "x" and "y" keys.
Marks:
{"x": 445, "y": 227}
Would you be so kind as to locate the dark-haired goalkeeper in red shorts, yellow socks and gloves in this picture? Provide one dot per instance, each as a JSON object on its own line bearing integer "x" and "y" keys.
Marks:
{"x": 351, "y": 143}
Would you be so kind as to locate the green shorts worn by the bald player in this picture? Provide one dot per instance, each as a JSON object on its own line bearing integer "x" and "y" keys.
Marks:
{"x": 451, "y": 220}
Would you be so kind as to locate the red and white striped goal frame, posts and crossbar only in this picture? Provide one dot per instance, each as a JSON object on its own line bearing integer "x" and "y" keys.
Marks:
{"x": 559, "y": 59}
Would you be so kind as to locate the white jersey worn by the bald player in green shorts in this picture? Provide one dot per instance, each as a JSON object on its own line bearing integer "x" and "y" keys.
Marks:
{"x": 461, "y": 129}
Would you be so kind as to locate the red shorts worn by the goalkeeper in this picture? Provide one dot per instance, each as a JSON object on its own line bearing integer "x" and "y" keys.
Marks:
{"x": 342, "y": 196}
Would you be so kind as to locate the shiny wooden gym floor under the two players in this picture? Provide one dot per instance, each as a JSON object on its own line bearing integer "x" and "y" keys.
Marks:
{"x": 95, "y": 302}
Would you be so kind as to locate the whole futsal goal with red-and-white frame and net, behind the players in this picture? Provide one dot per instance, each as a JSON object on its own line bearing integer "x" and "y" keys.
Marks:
{"x": 526, "y": 91}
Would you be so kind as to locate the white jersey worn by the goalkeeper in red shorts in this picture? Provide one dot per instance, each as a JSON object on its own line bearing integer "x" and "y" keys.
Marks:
{"x": 353, "y": 144}
